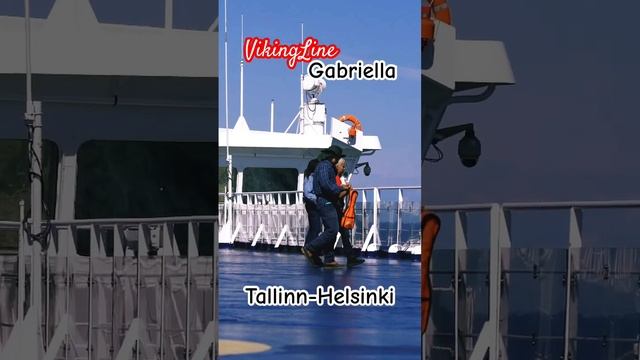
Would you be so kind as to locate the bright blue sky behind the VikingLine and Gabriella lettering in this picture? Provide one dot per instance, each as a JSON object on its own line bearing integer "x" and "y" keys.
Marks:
{"x": 363, "y": 30}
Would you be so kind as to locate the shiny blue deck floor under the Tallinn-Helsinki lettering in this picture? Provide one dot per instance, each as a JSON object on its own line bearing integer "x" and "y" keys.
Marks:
{"x": 319, "y": 332}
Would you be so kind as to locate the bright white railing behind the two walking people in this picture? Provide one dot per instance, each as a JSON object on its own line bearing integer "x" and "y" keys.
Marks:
{"x": 279, "y": 218}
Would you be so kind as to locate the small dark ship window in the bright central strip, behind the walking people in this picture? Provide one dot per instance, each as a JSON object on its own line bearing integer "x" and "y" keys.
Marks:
{"x": 270, "y": 179}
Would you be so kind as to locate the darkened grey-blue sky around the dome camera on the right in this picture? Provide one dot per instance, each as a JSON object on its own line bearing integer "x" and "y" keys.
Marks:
{"x": 567, "y": 131}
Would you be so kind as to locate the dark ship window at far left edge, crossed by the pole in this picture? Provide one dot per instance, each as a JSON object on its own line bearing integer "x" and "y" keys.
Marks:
{"x": 14, "y": 184}
